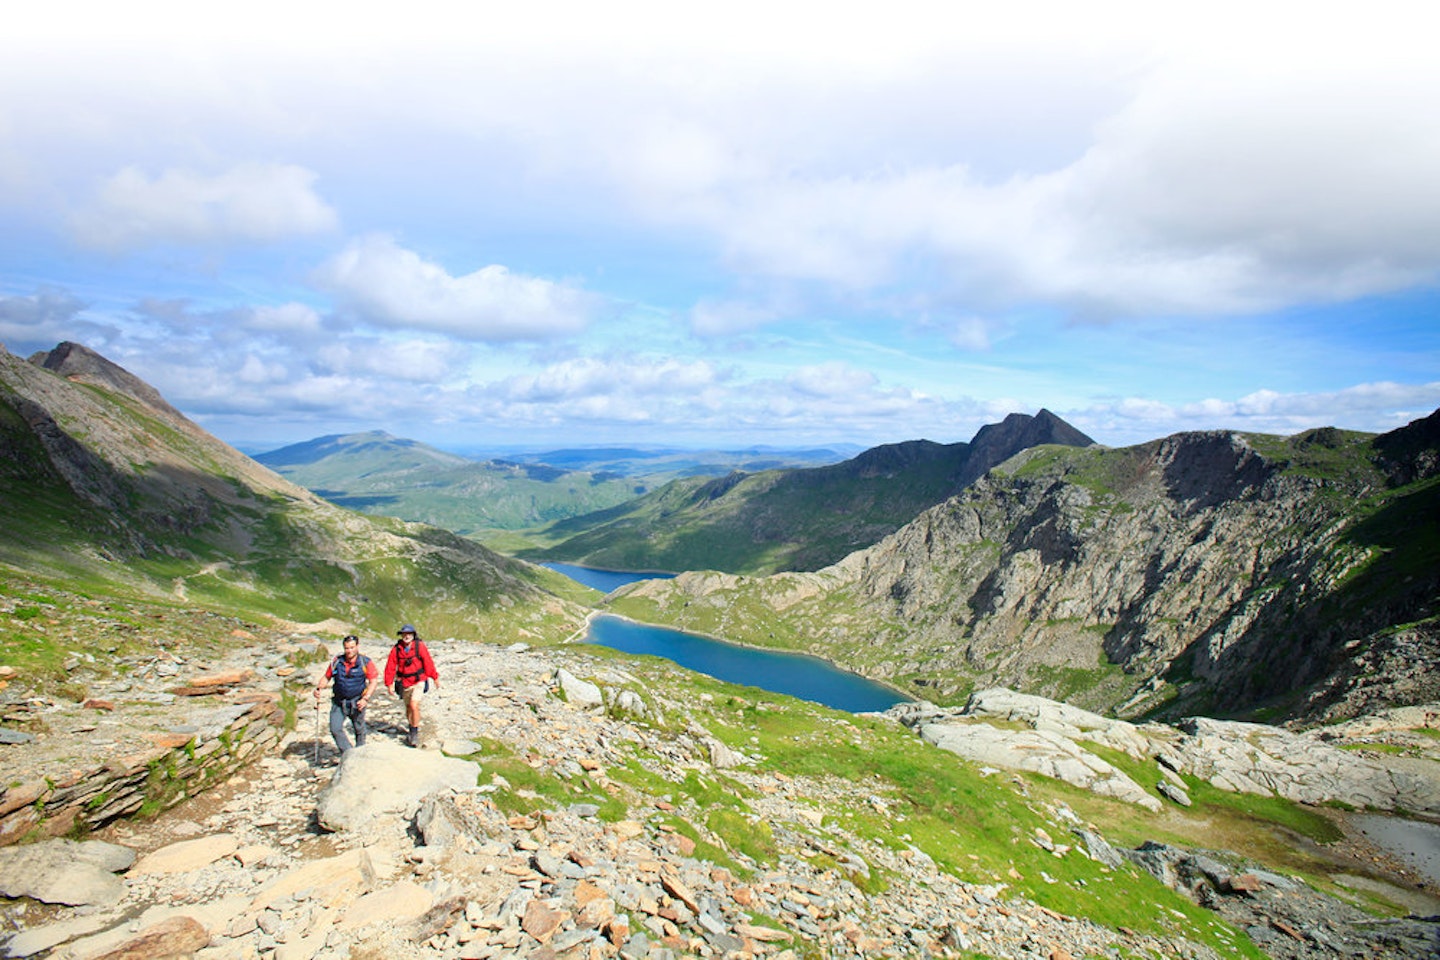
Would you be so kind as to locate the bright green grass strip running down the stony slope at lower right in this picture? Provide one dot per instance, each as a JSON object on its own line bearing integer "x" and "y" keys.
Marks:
{"x": 904, "y": 795}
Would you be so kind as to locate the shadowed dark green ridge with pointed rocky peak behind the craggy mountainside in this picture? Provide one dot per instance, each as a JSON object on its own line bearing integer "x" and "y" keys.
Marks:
{"x": 798, "y": 519}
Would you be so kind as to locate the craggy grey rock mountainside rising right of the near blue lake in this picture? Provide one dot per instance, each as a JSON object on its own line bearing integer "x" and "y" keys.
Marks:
{"x": 1207, "y": 574}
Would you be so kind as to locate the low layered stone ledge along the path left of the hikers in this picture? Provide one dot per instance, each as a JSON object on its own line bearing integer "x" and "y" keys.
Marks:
{"x": 178, "y": 768}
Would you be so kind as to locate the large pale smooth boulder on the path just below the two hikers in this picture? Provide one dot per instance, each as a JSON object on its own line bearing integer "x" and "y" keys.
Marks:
{"x": 387, "y": 778}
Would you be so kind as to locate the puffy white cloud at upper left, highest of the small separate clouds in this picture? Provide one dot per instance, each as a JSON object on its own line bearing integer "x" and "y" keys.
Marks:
{"x": 247, "y": 204}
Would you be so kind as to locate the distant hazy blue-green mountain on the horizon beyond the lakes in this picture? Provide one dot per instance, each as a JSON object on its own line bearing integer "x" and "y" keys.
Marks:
{"x": 381, "y": 474}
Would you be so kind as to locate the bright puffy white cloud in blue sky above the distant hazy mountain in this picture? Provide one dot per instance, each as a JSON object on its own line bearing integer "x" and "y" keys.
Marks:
{"x": 387, "y": 286}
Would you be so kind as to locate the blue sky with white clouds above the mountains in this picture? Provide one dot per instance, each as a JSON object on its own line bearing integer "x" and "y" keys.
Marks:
{"x": 731, "y": 225}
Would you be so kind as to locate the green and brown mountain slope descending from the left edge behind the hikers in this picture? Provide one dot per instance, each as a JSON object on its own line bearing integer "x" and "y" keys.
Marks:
{"x": 106, "y": 484}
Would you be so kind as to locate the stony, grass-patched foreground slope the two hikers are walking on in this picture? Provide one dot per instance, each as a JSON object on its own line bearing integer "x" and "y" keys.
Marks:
{"x": 570, "y": 804}
